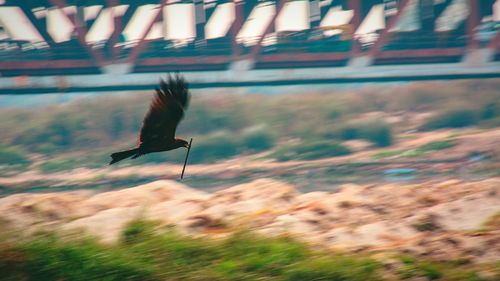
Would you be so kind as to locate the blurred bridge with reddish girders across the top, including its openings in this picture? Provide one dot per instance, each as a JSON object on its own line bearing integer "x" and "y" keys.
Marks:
{"x": 105, "y": 45}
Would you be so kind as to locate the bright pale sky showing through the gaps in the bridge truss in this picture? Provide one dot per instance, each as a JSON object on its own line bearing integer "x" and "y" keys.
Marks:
{"x": 179, "y": 21}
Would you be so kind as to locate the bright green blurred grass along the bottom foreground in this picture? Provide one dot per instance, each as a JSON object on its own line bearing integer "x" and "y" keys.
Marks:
{"x": 148, "y": 252}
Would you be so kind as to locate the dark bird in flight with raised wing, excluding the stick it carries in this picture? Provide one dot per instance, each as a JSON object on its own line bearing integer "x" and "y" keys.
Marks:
{"x": 158, "y": 128}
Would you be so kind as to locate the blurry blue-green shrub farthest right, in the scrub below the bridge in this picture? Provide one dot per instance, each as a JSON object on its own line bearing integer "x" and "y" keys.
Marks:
{"x": 456, "y": 118}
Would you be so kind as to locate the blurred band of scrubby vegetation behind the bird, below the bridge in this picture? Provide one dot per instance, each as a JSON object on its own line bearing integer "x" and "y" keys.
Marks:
{"x": 246, "y": 124}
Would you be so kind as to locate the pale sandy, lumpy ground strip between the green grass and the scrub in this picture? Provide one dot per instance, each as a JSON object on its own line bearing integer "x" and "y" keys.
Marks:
{"x": 440, "y": 220}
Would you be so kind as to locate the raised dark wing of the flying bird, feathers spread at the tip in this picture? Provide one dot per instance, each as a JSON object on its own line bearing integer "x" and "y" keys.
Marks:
{"x": 165, "y": 112}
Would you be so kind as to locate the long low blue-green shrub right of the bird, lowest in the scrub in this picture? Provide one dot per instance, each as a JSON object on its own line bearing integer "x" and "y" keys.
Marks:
{"x": 310, "y": 150}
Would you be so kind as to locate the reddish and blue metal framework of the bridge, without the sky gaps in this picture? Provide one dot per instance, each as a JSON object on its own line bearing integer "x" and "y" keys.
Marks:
{"x": 302, "y": 53}
